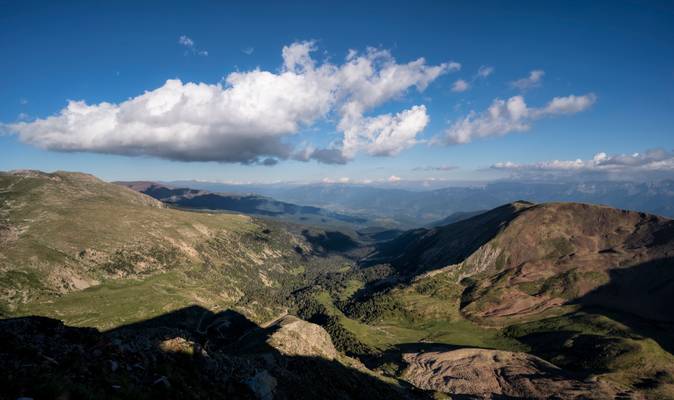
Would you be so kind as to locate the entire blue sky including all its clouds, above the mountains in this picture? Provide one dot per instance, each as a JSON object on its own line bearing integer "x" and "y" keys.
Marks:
{"x": 616, "y": 58}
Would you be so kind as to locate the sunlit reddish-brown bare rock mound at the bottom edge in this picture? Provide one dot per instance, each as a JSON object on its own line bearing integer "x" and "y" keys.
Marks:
{"x": 493, "y": 373}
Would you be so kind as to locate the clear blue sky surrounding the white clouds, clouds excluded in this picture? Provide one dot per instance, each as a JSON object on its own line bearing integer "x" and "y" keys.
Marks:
{"x": 622, "y": 52}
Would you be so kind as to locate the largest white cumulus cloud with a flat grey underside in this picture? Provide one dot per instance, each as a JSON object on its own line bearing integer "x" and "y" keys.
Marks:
{"x": 249, "y": 117}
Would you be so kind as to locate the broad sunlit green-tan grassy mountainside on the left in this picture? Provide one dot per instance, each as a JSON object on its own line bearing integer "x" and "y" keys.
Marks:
{"x": 97, "y": 254}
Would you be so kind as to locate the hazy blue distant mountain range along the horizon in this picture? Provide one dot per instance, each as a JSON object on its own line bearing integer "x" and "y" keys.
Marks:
{"x": 413, "y": 208}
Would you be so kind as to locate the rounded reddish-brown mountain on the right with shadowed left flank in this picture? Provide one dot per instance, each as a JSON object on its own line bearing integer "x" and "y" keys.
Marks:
{"x": 525, "y": 259}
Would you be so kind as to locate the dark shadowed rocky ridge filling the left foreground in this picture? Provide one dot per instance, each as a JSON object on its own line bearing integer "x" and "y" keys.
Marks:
{"x": 186, "y": 354}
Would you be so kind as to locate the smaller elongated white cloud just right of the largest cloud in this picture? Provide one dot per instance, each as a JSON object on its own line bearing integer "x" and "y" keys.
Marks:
{"x": 512, "y": 115}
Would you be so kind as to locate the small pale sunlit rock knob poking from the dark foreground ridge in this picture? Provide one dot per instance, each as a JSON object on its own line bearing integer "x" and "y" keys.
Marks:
{"x": 294, "y": 337}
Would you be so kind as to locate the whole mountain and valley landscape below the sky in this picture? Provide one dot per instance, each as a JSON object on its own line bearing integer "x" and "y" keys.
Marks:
{"x": 108, "y": 292}
